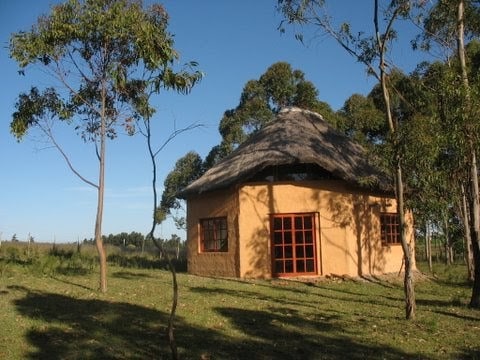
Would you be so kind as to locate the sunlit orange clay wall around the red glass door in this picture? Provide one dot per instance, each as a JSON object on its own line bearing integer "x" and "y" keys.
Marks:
{"x": 347, "y": 222}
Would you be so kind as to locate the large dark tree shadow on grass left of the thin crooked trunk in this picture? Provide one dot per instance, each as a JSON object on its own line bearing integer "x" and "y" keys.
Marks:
{"x": 71, "y": 328}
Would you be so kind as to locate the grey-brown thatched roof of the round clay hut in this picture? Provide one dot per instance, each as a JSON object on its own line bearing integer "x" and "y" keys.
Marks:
{"x": 296, "y": 136}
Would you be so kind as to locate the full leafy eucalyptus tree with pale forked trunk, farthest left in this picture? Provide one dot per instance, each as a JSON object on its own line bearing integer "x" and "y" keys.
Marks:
{"x": 104, "y": 57}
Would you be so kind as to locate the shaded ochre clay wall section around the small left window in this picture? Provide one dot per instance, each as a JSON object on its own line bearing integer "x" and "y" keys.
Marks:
{"x": 212, "y": 204}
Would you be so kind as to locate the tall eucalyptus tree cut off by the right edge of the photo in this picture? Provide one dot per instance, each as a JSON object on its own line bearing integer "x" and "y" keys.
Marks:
{"x": 450, "y": 27}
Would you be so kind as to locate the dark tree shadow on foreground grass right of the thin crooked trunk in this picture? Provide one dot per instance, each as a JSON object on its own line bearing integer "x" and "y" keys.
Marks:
{"x": 282, "y": 334}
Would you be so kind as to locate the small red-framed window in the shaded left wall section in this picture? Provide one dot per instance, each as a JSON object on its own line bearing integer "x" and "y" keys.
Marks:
{"x": 213, "y": 235}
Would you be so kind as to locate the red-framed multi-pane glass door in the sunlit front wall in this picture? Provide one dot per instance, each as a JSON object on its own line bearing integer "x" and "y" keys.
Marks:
{"x": 293, "y": 244}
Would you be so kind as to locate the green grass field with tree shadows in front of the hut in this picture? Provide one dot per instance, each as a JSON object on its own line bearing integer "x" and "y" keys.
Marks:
{"x": 62, "y": 316}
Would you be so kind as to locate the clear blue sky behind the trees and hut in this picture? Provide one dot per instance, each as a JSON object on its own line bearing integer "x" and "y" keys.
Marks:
{"x": 233, "y": 42}
